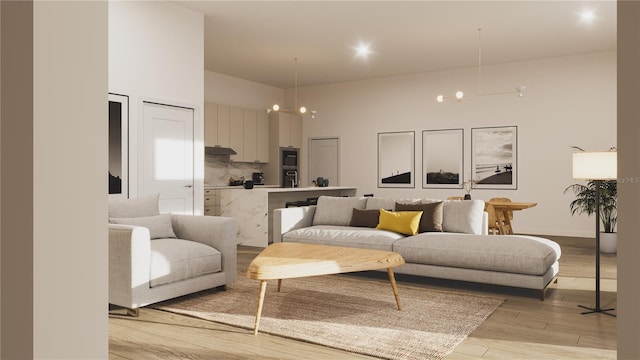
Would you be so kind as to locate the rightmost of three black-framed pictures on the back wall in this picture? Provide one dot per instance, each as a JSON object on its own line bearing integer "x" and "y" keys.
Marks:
{"x": 494, "y": 157}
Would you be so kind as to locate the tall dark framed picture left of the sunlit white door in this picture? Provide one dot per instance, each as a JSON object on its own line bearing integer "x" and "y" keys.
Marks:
{"x": 118, "y": 146}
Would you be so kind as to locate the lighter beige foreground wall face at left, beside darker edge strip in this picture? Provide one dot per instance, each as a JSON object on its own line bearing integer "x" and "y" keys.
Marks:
{"x": 70, "y": 287}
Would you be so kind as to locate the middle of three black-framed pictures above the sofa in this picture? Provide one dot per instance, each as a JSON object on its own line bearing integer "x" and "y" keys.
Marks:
{"x": 442, "y": 158}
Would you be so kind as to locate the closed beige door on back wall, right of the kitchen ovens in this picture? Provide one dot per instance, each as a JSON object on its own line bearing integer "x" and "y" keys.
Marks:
{"x": 324, "y": 160}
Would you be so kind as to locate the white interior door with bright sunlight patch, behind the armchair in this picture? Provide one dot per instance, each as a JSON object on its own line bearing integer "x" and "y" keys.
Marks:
{"x": 167, "y": 156}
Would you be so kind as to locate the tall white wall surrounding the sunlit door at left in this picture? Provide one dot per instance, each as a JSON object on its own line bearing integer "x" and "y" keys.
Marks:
{"x": 156, "y": 53}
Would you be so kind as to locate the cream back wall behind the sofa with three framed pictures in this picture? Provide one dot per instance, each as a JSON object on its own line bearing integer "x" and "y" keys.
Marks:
{"x": 569, "y": 101}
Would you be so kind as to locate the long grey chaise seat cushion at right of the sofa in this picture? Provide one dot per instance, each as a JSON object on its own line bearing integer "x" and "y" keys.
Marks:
{"x": 506, "y": 253}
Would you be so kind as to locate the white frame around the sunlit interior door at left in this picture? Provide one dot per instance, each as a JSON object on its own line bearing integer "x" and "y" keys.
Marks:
{"x": 198, "y": 149}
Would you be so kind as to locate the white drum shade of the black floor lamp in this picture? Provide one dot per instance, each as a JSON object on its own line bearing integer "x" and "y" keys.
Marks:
{"x": 595, "y": 165}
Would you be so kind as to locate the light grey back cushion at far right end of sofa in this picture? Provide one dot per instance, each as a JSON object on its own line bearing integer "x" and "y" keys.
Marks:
{"x": 463, "y": 216}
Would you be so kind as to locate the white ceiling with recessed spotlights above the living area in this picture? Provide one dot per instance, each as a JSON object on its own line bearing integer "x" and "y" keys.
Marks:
{"x": 258, "y": 40}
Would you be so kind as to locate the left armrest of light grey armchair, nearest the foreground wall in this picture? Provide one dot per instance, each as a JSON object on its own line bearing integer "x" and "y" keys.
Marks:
{"x": 129, "y": 263}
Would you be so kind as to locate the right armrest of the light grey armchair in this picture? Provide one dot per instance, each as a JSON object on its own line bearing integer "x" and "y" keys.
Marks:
{"x": 216, "y": 231}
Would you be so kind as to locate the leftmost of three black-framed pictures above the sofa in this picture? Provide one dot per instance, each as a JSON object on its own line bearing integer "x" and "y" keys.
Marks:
{"x": 396, "y": 159}
